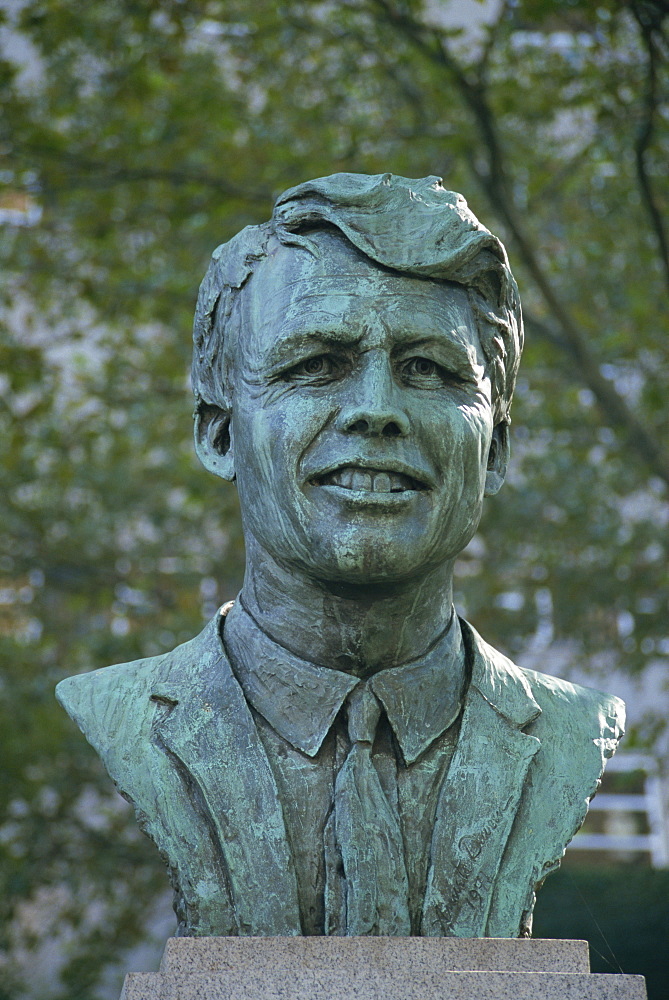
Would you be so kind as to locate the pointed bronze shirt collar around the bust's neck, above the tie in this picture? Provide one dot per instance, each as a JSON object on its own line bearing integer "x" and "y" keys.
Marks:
{"x": 300, "y": 700}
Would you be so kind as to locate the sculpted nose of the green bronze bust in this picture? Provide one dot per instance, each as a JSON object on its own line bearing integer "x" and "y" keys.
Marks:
{"x": 374, "y": 409}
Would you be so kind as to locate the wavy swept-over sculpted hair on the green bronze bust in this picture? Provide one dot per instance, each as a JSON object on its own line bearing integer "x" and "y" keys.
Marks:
{"x": 415, "y": 227}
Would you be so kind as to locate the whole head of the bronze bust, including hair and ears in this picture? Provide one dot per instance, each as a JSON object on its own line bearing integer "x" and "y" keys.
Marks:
{"x": 354, "y": 364}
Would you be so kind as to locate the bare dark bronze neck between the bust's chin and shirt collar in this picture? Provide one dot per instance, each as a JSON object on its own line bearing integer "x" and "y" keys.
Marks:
{"x": 359, "y": 629}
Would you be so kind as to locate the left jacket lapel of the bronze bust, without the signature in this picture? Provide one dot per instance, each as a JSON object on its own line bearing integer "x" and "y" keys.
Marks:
{"x": 208, "y": 727}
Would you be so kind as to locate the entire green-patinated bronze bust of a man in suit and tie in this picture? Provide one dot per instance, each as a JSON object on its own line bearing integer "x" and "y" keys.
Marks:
{"x": 338, "y": 753}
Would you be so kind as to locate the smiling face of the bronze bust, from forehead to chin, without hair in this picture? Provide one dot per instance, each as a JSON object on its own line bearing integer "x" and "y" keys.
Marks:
{"x": 361, "y": 417}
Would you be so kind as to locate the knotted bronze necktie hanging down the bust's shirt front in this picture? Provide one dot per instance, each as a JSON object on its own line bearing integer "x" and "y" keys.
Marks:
{"x": 367, "y": 832}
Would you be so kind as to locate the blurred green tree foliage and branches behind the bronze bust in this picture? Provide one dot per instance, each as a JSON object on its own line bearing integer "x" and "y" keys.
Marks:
{"x": 137, "y": 135}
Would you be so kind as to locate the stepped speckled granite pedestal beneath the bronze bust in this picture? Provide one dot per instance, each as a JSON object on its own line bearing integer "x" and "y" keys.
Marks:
{"x": 369, "y": 968}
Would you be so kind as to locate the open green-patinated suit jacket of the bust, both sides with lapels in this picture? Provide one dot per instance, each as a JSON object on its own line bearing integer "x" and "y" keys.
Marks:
{"x": 179, "y": 741}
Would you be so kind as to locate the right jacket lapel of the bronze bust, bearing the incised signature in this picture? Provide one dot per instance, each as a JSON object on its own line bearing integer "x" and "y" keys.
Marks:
{"x": 480, "y": 795}
